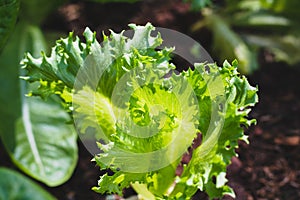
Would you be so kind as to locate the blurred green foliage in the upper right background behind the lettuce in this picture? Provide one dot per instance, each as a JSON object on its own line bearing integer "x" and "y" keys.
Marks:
{"x": 241, "y": 28}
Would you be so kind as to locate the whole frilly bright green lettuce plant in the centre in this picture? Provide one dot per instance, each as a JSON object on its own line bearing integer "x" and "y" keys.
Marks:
{"x": 144, "y": 115}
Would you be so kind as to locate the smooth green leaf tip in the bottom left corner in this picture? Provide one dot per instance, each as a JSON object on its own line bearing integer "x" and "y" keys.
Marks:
{"x": 14, "y": 186}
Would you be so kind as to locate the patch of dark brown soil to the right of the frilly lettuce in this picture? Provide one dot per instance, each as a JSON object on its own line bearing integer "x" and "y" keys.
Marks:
{"x": 269, "y": 168}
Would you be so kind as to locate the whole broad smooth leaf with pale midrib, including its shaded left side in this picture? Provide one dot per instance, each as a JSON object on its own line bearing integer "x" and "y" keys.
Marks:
{"x": 34, "y": 132}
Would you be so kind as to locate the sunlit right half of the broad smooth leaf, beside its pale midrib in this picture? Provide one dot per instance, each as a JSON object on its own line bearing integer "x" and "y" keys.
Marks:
{"x": 44, "y": 145}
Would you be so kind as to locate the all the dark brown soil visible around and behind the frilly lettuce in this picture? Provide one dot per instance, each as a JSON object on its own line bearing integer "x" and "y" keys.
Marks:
{"x": 267, "y": 168}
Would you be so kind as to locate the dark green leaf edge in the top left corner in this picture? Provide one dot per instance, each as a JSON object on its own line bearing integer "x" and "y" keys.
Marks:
{"x": 8, "y": 15}
